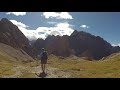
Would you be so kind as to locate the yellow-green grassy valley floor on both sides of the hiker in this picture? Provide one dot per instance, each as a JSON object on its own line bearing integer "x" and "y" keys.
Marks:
{"x": 76, "y": 68}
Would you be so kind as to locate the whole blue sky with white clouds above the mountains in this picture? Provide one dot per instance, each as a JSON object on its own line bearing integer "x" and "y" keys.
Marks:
{"x": 39, "y": 24}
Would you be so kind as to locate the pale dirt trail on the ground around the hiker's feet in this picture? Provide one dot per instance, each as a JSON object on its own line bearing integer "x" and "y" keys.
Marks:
{"x": 29, "y": 72}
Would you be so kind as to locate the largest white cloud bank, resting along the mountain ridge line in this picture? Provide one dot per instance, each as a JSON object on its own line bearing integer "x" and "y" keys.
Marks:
{"x": 42, "y": 32}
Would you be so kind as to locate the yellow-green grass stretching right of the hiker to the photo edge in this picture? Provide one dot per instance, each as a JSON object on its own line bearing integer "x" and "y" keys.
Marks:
{"x": 109, "y": 68}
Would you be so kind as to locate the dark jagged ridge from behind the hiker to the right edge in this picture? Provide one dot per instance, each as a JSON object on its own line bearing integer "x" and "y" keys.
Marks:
{"x": 81, "y": 44}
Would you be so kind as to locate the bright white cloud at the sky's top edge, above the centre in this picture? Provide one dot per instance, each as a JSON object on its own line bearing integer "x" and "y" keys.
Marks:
{"x": 62, "y": 15}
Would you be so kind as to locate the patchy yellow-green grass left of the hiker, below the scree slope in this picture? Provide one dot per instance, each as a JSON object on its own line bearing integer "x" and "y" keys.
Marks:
{"x": 16, "y": 69}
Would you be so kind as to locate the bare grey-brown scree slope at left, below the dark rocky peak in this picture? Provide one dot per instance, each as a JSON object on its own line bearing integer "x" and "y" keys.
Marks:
{"x": 12, "y": 54}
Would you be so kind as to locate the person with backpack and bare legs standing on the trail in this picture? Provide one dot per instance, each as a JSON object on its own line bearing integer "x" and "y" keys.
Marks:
{"x": 44, "y": 58}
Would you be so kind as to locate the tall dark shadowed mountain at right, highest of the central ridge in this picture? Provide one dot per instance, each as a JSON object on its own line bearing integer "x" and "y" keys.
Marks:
{"x": 87, "y": 45}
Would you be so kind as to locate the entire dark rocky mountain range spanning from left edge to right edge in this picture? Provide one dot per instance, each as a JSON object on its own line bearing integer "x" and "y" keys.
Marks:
{"x": 81, "y": 44}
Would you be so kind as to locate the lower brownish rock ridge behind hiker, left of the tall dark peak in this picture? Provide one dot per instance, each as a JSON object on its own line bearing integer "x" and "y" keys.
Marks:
{"x": 56, "y": 45}
